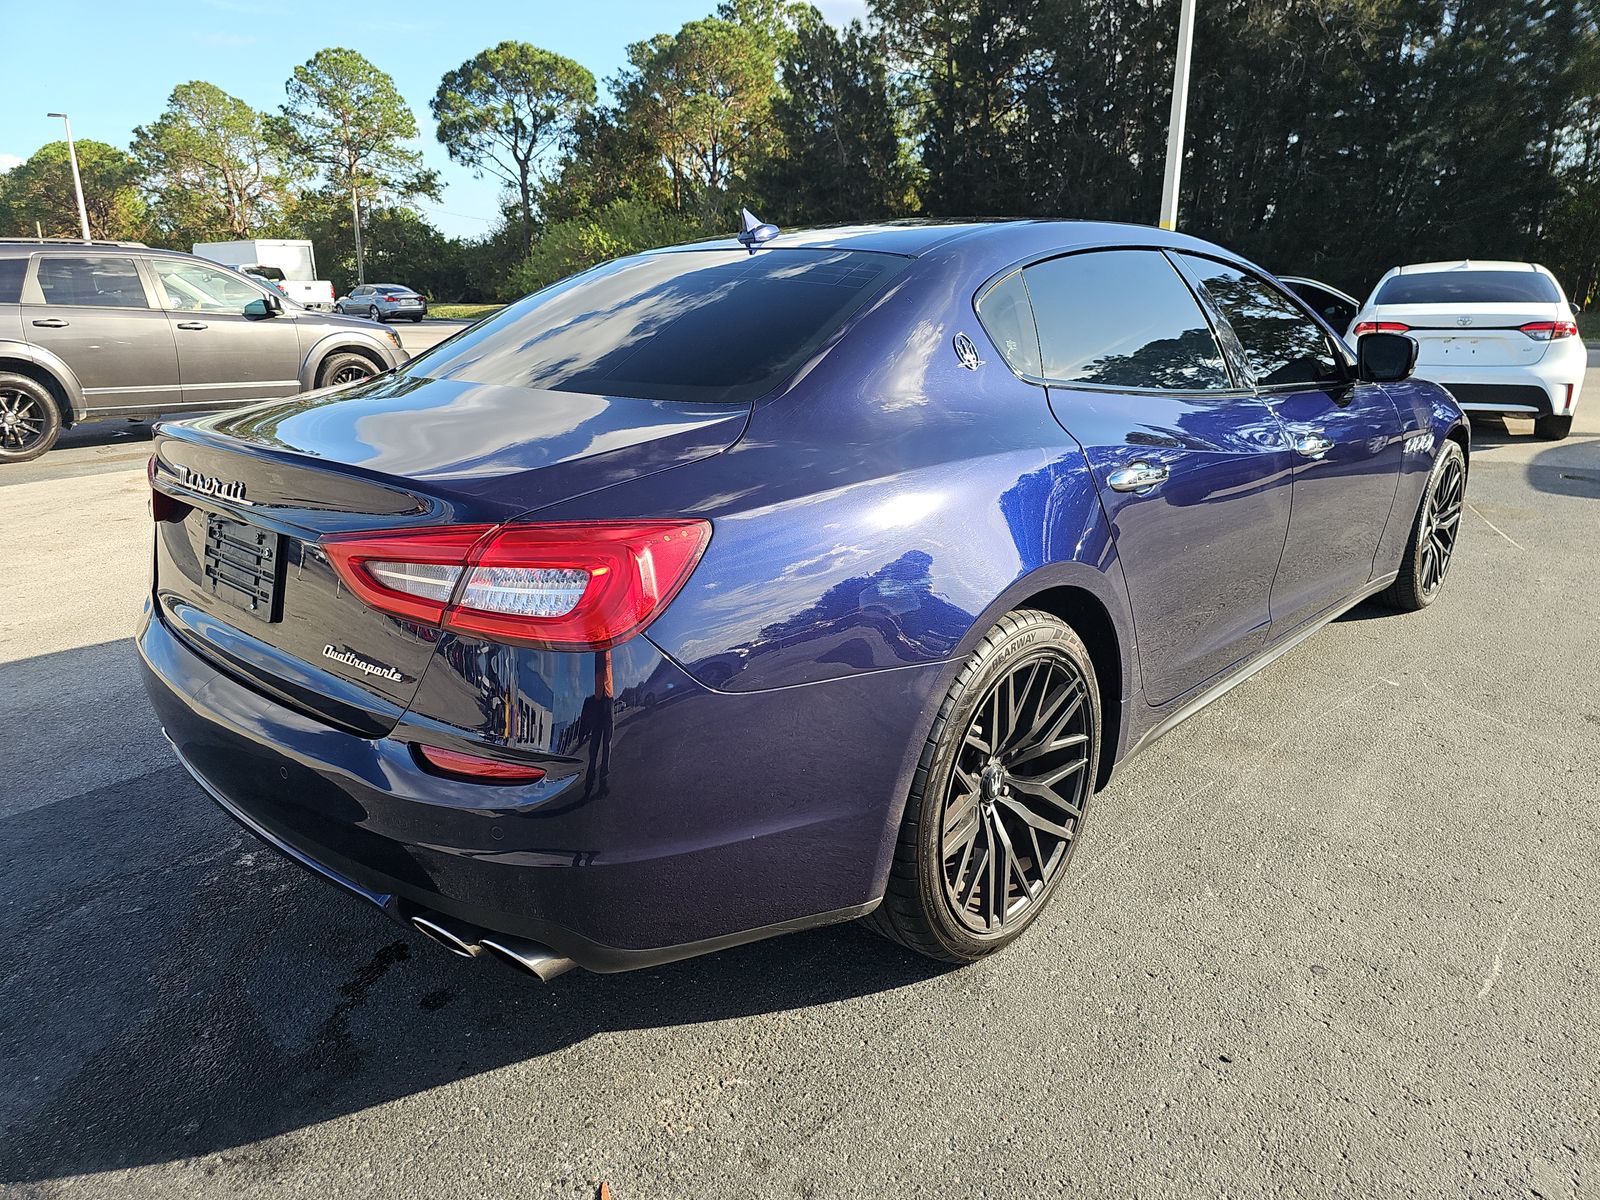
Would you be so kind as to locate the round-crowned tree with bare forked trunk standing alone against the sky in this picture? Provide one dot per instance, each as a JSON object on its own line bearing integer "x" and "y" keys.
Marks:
{"x": 506, "y": 108}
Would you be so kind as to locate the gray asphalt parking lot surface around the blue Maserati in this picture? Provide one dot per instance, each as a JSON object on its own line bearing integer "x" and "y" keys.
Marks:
{"x": 1335, "y": 937}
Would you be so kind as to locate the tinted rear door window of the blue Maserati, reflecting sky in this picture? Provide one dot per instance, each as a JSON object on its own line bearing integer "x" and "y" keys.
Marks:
{"x": 1124, "y": 319}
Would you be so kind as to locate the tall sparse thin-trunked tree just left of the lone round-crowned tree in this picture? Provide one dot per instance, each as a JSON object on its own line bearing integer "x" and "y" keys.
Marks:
{"x": 348, "y": 119}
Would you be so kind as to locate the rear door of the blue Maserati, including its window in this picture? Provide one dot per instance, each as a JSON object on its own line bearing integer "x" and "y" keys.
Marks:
{"x": 1193, "y": 468}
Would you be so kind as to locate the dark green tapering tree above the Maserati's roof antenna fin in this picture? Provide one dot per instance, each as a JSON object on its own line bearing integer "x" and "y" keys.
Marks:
{"x": 838, "y": 153}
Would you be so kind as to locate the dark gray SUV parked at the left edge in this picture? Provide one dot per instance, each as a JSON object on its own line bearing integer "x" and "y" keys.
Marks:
{"x": 92, "y": 332}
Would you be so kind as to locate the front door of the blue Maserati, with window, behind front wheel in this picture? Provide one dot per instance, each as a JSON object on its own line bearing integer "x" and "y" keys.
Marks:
{"x": 1348, "y": 439}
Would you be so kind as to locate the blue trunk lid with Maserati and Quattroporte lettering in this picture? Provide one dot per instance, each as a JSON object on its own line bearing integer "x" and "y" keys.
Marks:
{"x": 249, "y": 498}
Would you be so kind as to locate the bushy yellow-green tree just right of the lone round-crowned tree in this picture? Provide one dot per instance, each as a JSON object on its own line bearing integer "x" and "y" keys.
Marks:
{"x": 703, "y": 97}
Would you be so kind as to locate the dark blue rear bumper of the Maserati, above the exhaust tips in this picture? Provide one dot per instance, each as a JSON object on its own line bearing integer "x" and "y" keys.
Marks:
{"x": 716, "y": 823}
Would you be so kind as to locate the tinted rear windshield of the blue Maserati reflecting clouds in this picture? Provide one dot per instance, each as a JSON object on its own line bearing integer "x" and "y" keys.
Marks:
{"x": 684, "y": 326}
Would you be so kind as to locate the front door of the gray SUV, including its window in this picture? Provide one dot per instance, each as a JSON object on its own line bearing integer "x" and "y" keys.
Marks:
{"x": 223, "y": 354}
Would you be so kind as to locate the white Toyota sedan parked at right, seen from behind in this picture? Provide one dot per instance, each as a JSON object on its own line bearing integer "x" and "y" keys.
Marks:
{"x": 1498, "y": 335}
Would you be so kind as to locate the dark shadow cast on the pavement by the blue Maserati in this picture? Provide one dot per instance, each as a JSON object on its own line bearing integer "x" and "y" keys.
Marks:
{"x": 174, "y": 990}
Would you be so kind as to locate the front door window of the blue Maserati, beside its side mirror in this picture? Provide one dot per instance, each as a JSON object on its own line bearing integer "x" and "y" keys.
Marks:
{"x": 1282, "y": 345}
